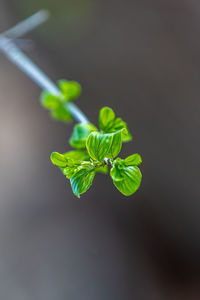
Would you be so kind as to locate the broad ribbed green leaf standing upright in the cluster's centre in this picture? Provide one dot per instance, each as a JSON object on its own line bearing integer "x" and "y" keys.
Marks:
{"x": 101, "y": 145}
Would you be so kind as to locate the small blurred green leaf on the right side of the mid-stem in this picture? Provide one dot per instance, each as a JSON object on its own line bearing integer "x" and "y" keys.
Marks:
{"x": 70, "y": 89}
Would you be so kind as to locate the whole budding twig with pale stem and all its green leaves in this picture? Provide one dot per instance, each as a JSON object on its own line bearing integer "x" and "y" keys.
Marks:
{"x": 96, "y": 150}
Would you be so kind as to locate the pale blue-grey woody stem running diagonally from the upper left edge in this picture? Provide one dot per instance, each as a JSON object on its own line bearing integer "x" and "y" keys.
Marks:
{"x": 25, "y": 64}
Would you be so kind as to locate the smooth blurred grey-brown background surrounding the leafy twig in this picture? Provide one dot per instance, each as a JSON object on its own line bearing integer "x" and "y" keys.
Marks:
{"x": 142, "y": 58}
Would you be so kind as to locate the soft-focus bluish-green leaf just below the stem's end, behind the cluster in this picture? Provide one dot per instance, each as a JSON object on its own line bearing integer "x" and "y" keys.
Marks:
{"x": 80, "y": 134}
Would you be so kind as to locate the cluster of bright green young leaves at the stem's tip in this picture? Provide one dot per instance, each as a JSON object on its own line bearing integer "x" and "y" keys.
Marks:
{"x": 96, "y": 152}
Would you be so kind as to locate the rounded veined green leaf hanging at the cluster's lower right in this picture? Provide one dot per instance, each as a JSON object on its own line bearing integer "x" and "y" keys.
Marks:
{"x": 127, "y": 179}
